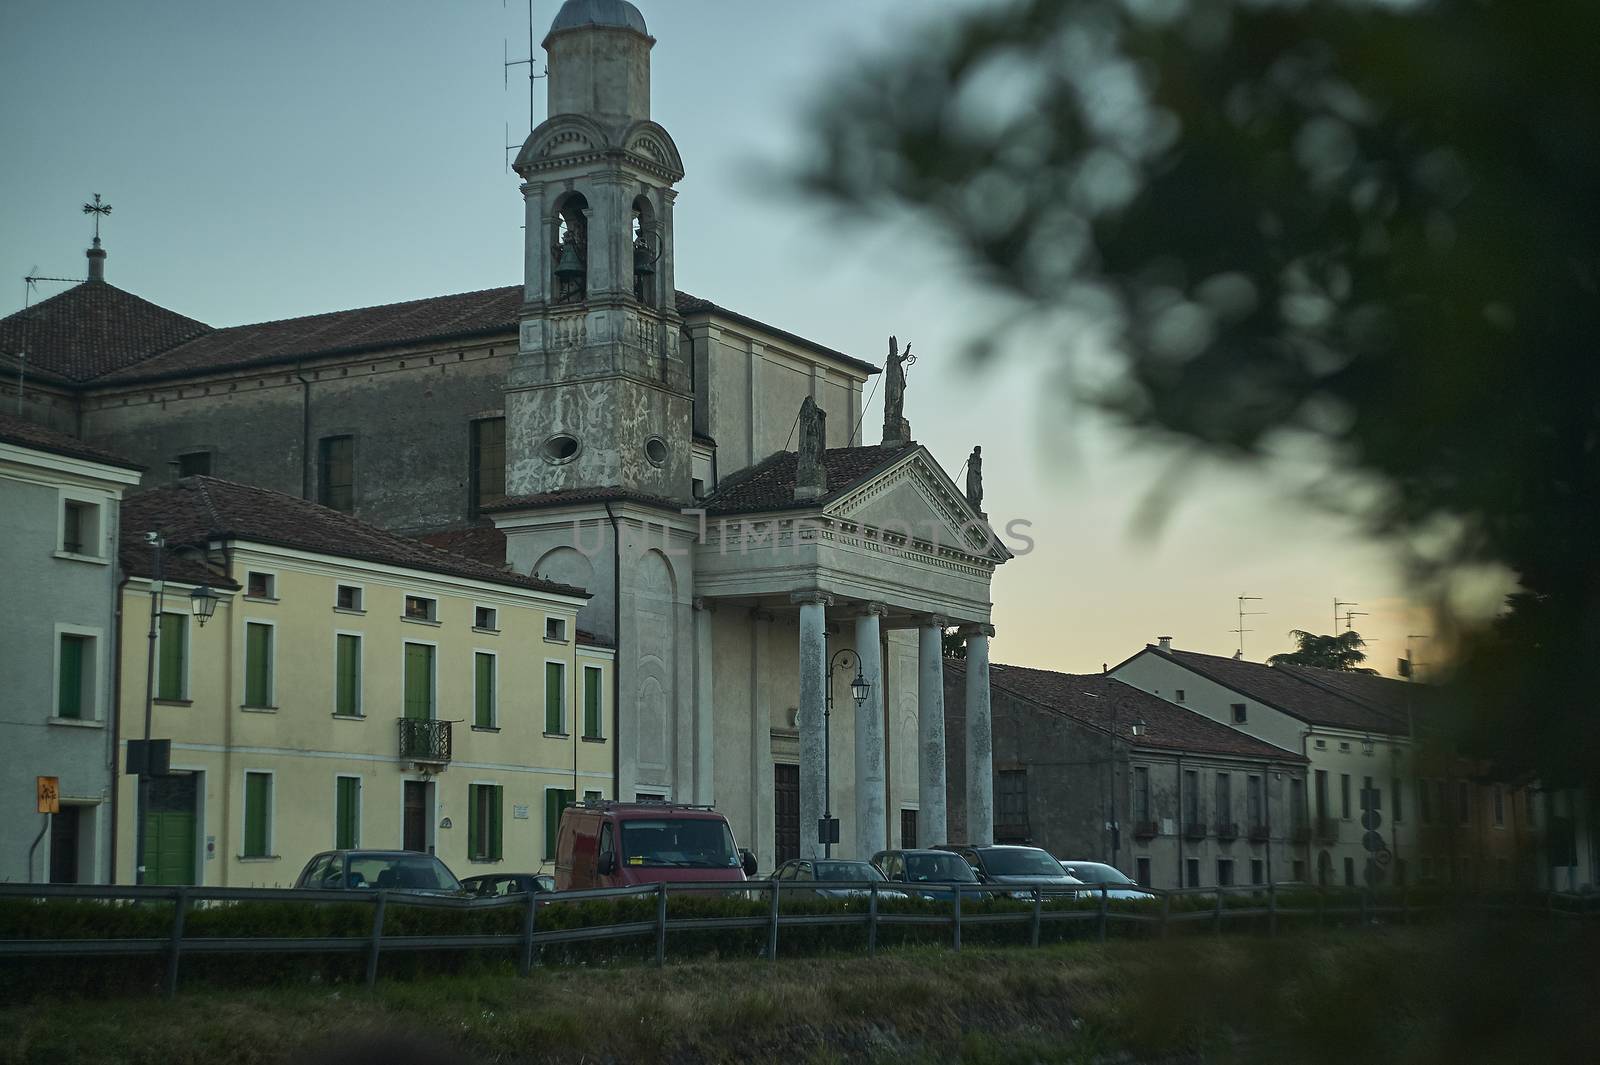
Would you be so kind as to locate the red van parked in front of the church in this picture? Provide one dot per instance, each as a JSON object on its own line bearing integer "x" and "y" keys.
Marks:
{"x": 618, "y": 845}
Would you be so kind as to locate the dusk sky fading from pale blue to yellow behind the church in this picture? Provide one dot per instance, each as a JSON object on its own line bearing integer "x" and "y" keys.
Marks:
{"x": 270, "y": 161}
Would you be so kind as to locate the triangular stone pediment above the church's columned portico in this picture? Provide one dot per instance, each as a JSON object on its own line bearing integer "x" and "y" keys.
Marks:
{"x": 914, "y": 498}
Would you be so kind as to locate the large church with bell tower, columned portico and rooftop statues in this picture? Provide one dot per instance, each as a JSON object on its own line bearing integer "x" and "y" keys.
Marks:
{"x": 778, "y": 592}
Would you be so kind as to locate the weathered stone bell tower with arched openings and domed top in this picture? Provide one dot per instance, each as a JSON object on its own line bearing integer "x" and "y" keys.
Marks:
{"x": 599, "y": 396}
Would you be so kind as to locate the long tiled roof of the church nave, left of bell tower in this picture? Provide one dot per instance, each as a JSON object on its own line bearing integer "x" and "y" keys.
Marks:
{"x": 340, "y": 332}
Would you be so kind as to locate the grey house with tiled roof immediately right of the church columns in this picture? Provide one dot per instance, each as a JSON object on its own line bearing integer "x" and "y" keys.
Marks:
{"x": 1095, "y": 770}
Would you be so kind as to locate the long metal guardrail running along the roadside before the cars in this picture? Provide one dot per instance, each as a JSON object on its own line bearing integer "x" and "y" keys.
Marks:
{"x": 1154, "y": 907}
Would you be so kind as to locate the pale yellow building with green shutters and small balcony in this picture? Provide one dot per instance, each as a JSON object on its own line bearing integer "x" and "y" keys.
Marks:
{"x": 354, "y": 688}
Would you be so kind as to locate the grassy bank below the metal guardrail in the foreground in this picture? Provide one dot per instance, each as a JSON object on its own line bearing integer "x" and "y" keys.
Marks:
{"x": 1514, "y": 994}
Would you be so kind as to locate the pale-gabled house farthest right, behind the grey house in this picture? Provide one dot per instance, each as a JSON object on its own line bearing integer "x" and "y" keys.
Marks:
{"x": 1370, "y": 744}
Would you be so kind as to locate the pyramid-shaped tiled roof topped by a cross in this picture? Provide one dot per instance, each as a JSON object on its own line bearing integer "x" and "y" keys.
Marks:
{"x": 92, "y": 330}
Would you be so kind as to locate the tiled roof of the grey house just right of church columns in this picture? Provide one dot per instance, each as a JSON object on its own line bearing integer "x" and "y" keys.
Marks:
{"x": 1111, "y": 706}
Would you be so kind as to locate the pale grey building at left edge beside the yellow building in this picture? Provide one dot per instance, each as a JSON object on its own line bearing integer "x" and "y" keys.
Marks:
{"x": 60, "y": 505}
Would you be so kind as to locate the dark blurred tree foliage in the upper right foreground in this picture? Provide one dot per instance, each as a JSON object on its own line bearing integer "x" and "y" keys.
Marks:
{"x": 1359, "y": 229}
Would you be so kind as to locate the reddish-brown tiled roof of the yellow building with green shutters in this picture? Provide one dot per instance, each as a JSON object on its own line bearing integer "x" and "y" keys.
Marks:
{"x": 201, "y": 509}
